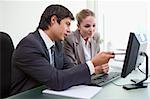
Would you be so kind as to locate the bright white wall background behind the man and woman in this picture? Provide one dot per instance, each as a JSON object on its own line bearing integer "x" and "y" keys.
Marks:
{"x": 115, "y": 18}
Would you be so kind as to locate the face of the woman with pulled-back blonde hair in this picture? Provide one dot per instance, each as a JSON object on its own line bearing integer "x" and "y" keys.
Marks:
{"x": 87, "y": 27}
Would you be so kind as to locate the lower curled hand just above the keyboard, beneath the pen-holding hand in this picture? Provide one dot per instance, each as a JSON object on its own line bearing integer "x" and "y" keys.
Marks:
{"x": 102, "y": 69}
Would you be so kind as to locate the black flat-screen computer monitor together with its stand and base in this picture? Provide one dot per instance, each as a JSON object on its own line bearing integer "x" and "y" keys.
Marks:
{"x": 136, "y": 50}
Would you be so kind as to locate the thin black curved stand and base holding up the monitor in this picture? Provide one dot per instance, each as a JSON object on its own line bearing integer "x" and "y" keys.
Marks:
{"x": 139, "y": 84}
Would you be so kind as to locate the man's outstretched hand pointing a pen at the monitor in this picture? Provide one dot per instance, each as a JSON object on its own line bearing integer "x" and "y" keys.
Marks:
{"x": 102, "y": 58}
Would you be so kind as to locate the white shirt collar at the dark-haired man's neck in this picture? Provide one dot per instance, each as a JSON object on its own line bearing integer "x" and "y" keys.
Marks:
{"x": 49, "y": 43}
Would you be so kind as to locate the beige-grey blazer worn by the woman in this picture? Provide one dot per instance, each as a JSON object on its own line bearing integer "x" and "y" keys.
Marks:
{"x": 74, "y": 50}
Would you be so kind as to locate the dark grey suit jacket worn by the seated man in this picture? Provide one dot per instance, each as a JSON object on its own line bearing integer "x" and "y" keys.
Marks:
{"x": 31, "y": 67}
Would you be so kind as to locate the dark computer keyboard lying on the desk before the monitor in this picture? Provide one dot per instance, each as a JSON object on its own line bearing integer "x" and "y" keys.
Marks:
{"x": 103, "y": 79}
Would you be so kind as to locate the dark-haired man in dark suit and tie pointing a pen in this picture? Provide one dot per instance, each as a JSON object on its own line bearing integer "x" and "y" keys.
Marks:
{"x": 33, "y": 62}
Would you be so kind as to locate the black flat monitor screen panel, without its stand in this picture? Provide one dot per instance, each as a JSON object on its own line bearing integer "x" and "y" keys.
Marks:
{"x": 131, "y": 56}
